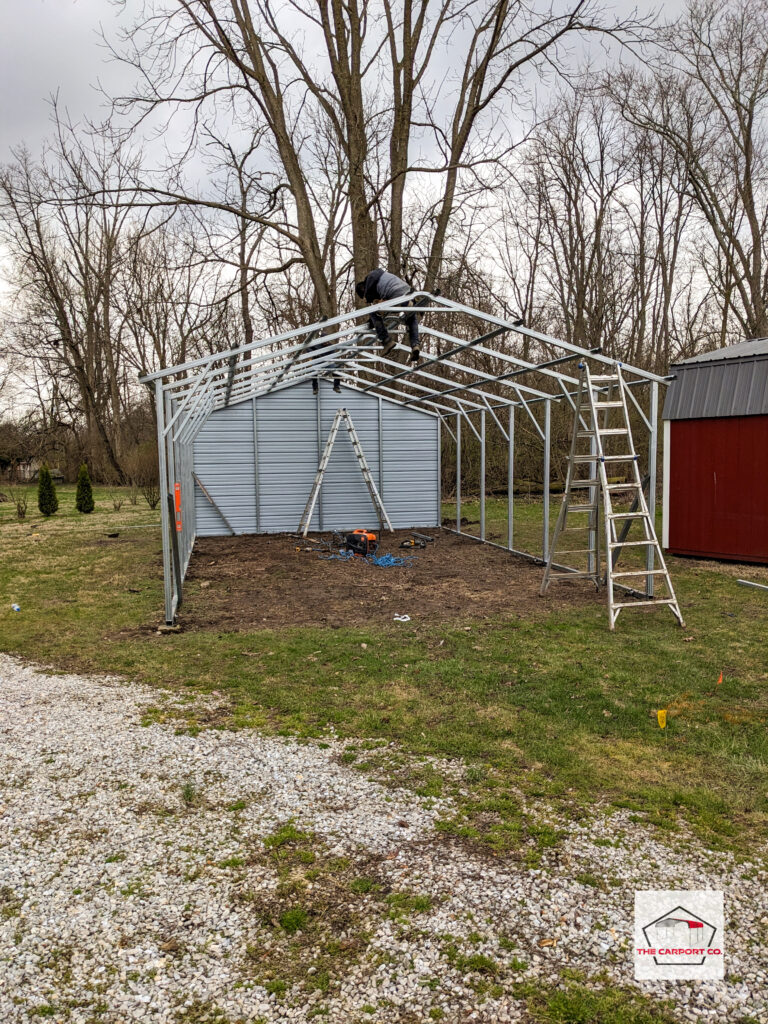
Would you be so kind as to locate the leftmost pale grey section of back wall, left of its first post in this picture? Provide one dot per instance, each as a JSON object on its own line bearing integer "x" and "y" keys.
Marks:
{"x": 225, "y": 462}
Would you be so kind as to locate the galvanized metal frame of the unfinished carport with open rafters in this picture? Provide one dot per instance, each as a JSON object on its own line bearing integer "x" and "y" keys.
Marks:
{"x": 447, "y": 382}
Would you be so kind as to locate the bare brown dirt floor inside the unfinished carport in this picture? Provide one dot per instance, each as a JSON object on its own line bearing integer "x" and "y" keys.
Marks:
{"x": 246, "y": 583}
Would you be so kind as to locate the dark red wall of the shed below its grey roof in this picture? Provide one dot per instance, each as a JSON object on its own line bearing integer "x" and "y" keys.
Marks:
{"x": 718, "y": 490}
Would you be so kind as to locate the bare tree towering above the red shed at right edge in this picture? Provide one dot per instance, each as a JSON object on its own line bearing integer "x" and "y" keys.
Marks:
{"x": 711, "y": 109}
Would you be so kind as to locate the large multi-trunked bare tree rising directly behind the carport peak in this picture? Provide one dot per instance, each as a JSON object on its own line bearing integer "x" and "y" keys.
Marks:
{"x": 370, "y": 72}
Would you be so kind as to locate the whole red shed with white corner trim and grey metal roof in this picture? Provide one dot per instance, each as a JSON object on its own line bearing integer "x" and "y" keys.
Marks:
{"x": 716, "y": 455}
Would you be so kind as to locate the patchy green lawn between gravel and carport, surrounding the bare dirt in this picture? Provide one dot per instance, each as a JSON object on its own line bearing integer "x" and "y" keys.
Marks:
{"x": 553, "y": 707}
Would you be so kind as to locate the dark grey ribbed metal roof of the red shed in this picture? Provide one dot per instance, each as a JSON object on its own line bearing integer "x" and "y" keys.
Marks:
{"x": 730, "y": 381}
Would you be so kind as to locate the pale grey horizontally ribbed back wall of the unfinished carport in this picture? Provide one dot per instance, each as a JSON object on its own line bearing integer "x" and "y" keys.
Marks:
{"x": 287, "y": 455}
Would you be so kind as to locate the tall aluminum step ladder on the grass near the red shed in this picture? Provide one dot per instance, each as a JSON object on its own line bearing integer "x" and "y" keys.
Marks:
{"x": 600, "y": 399}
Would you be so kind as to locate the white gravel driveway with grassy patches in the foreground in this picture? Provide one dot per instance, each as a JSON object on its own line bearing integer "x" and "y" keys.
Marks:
{"x": 122, "y": 902}
